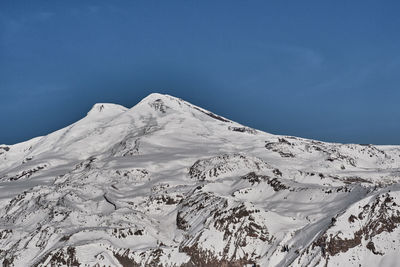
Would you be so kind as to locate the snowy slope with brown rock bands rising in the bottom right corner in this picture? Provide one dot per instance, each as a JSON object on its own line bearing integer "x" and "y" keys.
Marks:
{"x": 370, "y": 225}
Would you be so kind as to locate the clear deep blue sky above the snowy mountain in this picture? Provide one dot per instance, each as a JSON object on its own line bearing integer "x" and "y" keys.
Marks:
{"x": 328, "y": 70}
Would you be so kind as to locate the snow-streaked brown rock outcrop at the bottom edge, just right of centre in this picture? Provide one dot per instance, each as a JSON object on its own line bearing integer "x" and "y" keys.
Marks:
{"x": 238, "y": 228}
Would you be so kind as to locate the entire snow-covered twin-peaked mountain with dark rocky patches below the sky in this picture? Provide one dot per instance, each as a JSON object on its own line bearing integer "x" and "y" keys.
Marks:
{"x": 167, "y": 183}
